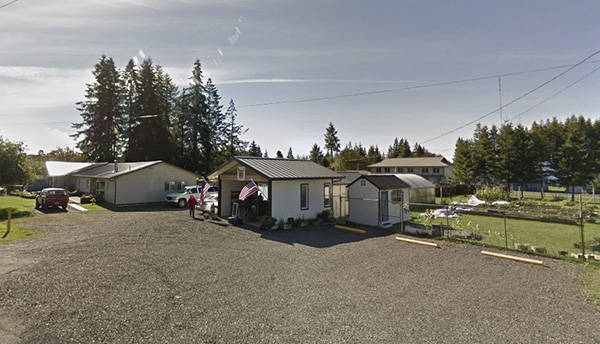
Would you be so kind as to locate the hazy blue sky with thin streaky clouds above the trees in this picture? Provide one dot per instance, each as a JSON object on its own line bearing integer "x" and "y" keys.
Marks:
{"x": 288, "y": 50}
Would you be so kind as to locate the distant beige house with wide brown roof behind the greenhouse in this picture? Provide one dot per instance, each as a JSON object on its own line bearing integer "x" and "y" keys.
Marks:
{"x": 437, "y": 169}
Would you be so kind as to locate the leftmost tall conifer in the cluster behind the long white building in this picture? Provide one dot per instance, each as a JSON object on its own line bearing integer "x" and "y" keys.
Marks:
{"x": 102, "y": 114}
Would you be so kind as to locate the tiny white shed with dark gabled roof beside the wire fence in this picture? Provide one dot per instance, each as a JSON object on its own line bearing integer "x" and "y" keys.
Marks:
{"x": 377, "y": 200}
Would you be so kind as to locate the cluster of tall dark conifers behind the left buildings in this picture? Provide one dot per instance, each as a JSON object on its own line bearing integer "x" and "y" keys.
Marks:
{"x": 138, "y": 113}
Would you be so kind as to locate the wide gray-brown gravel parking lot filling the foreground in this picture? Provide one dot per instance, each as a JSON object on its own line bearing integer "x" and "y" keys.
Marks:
{"x": 161, "y": 277}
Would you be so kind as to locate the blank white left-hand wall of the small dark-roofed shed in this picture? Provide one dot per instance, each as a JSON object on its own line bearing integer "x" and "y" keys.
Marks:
{"x": 363, "y": 203}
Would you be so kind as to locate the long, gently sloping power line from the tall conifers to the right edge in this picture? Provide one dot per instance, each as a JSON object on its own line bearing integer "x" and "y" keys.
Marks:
{"x": 408, "y": 88}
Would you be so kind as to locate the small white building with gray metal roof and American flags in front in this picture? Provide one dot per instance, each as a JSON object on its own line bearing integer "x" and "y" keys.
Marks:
{"x": 288, "y": 188}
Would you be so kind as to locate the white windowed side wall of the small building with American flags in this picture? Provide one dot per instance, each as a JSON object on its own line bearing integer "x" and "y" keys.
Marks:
{"x": 286, "y": 198}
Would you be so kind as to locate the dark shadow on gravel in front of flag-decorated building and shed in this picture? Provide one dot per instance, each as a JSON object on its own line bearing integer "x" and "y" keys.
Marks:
{"x": 320, "y": 236}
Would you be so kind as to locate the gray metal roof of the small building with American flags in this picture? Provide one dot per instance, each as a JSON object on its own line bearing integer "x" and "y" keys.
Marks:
{"x": 272, "y": 168}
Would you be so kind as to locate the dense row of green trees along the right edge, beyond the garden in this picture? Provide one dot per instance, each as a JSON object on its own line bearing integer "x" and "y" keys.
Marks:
{"x": 568, "y": 150}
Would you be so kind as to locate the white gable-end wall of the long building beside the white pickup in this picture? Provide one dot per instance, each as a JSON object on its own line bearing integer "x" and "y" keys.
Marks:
{"x": 148, "y": 184}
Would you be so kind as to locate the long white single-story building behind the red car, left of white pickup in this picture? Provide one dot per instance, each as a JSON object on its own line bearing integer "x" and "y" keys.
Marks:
{"x": 121, "y": 183}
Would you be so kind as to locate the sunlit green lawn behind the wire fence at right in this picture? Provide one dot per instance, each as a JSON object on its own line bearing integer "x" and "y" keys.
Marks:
{"x": 553, "y": 236}
